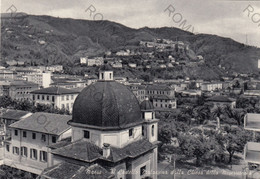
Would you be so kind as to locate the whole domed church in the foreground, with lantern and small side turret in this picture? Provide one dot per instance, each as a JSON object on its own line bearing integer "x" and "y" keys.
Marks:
{"x": 110, "y": 131}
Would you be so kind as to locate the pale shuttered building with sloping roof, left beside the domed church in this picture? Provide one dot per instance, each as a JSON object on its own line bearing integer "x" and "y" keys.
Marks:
{"x": 27, "y": 148}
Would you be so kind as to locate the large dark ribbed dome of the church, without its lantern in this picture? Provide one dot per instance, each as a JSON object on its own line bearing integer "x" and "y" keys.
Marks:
{"x": 106, "y": 105}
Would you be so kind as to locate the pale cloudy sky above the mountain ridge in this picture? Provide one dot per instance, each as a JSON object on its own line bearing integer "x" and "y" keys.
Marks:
{"x": 228, "y": 18}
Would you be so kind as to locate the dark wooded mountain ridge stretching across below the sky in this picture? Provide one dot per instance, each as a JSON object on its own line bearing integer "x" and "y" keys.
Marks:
{"x": 50, "y": 40}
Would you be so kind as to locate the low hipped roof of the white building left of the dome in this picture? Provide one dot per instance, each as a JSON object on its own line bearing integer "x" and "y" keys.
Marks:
{"x": 55, "y": 91}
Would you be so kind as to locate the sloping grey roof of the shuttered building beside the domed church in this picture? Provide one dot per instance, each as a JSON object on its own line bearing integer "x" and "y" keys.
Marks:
{"x": 44, "y": 122}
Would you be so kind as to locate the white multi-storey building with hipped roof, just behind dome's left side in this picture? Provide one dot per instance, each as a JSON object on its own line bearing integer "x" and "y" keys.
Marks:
{"x": 61, "y": 98}
